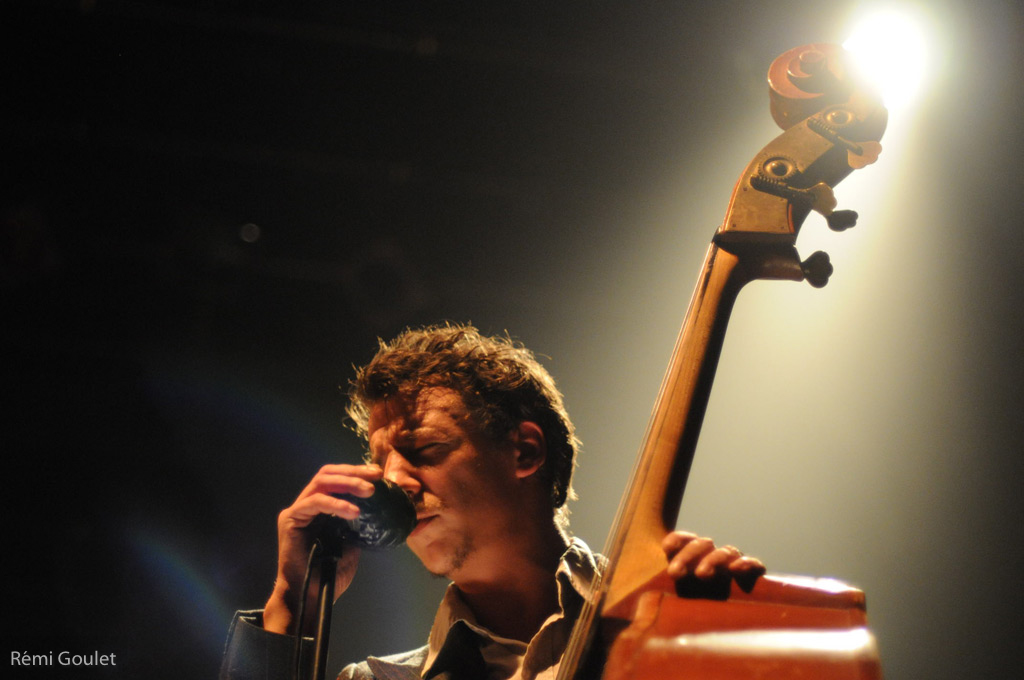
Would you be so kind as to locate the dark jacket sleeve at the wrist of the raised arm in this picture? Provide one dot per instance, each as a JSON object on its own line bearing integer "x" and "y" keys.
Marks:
{"x": 253, "y": 654}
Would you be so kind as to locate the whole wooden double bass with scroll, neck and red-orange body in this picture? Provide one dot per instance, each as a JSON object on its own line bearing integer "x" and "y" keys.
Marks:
{"x": 641, "y": 623}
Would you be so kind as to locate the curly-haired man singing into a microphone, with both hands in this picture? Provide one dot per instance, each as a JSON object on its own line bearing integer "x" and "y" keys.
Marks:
{"x": 476, "y": 432}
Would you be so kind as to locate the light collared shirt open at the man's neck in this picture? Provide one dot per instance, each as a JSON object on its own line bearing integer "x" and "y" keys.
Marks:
{"x": 514, "y": 660}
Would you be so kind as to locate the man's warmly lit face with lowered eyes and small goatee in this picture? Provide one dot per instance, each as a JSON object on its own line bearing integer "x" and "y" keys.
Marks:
{"x": 464, "y": 486}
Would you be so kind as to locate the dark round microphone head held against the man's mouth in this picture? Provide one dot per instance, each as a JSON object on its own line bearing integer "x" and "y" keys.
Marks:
{"x": 387, "y": 519}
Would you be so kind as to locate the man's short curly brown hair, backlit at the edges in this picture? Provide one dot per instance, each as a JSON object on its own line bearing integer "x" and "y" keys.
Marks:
{"x": 501, "y": 384}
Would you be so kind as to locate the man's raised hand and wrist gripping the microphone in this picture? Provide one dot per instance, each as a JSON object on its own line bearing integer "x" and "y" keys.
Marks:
{"x": 294, "y": 541}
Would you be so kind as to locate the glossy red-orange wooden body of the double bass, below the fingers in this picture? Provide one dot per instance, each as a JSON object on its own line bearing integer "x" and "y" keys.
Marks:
{"x": 785, "y": 628}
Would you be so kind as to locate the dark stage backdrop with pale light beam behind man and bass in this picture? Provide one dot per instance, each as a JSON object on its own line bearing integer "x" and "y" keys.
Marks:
{"x": 211, "y": 210}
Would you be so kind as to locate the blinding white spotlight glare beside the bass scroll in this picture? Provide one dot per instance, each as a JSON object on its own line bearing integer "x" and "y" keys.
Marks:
{"x": 890, "y": 49}
